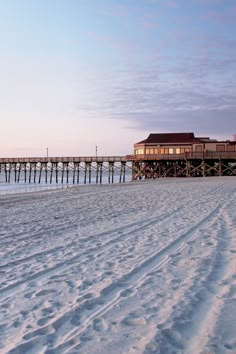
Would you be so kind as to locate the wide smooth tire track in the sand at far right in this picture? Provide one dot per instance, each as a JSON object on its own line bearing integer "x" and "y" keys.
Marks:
{"x": 211, "y": 306}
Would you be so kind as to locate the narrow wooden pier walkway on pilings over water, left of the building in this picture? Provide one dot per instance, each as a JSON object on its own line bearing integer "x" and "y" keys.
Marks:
{"x": 62, "y": 170}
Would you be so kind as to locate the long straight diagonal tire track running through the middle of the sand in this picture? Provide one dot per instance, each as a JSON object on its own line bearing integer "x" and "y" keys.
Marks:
{"x": 115, "y": 292}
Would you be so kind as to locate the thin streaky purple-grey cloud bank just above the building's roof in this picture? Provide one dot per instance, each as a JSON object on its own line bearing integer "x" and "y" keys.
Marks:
{"x": 195, "y": 94}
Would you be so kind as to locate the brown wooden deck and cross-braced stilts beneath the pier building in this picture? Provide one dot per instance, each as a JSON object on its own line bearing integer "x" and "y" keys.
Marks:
{"x": 189, "y": 164}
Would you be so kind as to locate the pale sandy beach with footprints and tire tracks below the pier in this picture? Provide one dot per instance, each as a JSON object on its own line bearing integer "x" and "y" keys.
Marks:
{"x": 142, "y": 267}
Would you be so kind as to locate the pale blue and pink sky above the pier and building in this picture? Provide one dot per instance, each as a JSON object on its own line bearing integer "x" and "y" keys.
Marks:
{"x": 81, "y": 74}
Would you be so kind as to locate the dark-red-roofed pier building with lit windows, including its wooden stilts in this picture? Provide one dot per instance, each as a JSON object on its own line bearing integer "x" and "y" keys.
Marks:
{"x": 182, "y": 155}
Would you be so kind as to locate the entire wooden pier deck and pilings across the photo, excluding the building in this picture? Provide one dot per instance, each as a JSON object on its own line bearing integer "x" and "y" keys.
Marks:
{"x": 108, "y": 169}
